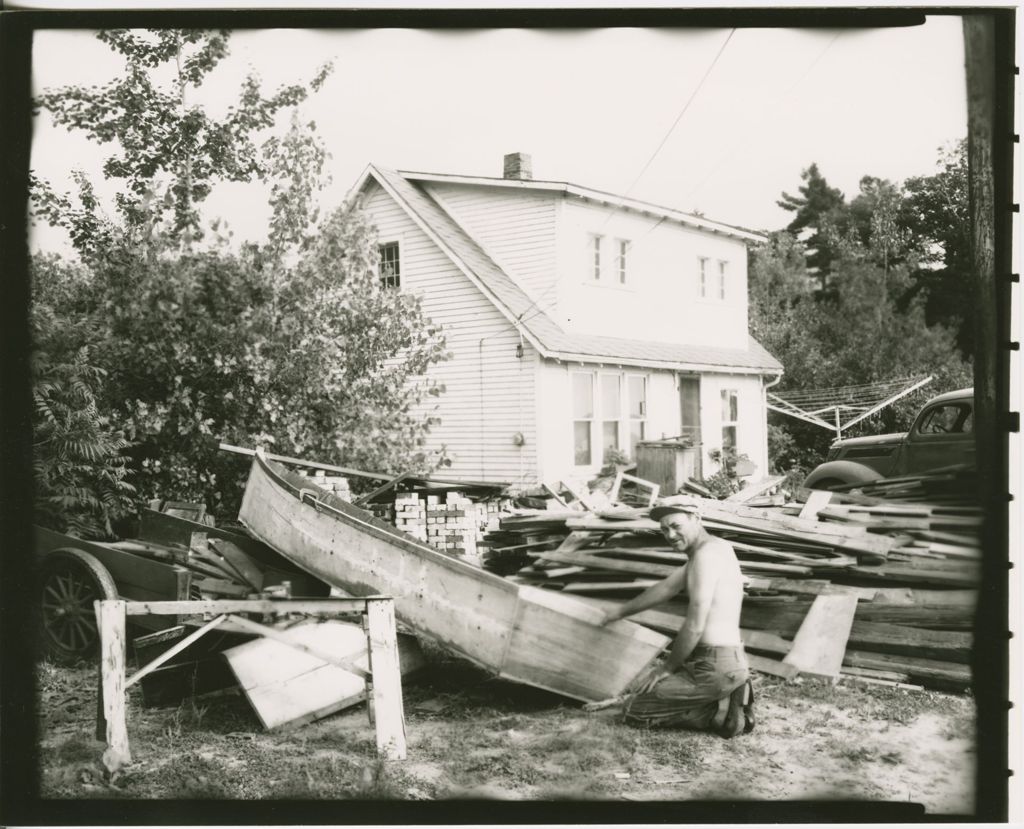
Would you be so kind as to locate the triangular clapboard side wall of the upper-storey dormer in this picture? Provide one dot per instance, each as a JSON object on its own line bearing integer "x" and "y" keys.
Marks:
{"x": 518, "y": 229}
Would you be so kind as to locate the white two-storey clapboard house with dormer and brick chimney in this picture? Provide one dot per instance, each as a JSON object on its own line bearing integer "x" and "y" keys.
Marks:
{"x": 577, "y": 321}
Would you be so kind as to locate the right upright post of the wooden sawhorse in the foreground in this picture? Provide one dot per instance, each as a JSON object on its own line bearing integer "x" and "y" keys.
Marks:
{"x": 390, "y": 717}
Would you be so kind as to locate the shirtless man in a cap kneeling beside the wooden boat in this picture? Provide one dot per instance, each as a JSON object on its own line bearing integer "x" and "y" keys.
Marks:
{"x": 704, "y": 683}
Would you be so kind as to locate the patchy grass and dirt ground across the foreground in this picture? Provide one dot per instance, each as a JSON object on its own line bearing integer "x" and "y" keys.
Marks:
{"x": 472, "y": 736}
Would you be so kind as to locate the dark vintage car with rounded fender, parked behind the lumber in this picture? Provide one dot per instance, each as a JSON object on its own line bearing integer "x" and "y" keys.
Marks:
{"x": 943, "y": 435}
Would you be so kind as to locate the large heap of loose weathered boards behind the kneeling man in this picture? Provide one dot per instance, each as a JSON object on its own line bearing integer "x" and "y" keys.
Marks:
{"x": 841, "y": 585}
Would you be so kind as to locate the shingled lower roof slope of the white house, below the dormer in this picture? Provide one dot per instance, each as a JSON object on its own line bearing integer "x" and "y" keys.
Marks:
{"x": 543, "y": 333}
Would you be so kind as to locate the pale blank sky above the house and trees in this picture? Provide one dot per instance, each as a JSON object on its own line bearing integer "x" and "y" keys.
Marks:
{"x": 591, "y": 107}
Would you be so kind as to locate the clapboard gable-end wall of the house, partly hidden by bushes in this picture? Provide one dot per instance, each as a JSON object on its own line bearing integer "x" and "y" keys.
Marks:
{"x": 490, "y": 394}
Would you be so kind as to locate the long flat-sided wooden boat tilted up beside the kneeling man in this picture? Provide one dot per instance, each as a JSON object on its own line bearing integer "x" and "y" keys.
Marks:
{"x": 525, "y": 634}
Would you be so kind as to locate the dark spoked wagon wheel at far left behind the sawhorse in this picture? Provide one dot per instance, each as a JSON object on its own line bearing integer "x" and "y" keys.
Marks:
{"x": 72, "y": 581}
